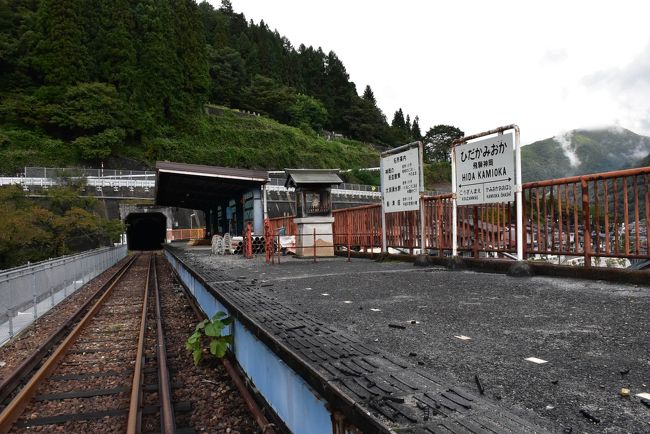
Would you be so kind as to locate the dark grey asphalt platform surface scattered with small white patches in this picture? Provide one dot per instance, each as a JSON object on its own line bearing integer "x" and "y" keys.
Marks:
{"x": 594, "y": 336}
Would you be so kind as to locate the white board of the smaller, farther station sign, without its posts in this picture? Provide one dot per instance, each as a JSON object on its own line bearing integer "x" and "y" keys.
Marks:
{"x": 400, "y": 180}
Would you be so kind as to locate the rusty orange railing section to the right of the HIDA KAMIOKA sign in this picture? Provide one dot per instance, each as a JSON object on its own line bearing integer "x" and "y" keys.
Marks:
{"x": 600, "y": 215}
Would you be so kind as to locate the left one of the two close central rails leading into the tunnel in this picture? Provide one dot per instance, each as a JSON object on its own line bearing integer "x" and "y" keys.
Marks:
{"x": 135, "y": 408}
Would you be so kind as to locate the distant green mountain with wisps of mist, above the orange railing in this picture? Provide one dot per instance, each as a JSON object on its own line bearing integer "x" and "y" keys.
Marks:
{"x": 581, "y": 151}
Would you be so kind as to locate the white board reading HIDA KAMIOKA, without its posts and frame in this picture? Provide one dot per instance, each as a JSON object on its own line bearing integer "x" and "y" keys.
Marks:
{"x": 485, "y": 171}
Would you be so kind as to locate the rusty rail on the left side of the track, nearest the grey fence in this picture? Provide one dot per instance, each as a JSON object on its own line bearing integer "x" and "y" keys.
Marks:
{"x": 12, "y": 412}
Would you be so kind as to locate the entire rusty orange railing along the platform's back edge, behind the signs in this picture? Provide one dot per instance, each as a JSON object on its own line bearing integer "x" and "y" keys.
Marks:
{"x": 600, "y": 215}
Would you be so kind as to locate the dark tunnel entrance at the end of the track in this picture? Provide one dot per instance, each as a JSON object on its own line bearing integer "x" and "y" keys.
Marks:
{"x": 146, "y": 231}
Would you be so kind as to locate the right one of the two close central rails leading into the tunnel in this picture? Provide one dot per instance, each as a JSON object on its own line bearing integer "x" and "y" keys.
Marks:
{"x": 167, "y": 422}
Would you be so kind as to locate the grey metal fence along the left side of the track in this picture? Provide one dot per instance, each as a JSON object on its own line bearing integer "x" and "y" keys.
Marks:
{"x": 29, "y": 287}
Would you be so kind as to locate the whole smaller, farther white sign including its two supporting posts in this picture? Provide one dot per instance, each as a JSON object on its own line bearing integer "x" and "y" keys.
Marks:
{"x": 402, "y": 182}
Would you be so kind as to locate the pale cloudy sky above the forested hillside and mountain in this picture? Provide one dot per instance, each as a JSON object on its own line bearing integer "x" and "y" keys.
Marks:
{"x": 549, "y": 66}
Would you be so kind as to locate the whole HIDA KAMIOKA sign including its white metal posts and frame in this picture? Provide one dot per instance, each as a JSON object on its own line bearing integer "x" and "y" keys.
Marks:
{"x": 482, "y": 172}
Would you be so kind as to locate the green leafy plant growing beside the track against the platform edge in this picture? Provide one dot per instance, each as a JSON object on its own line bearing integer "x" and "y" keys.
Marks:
{"x": 210, "y": 331}
